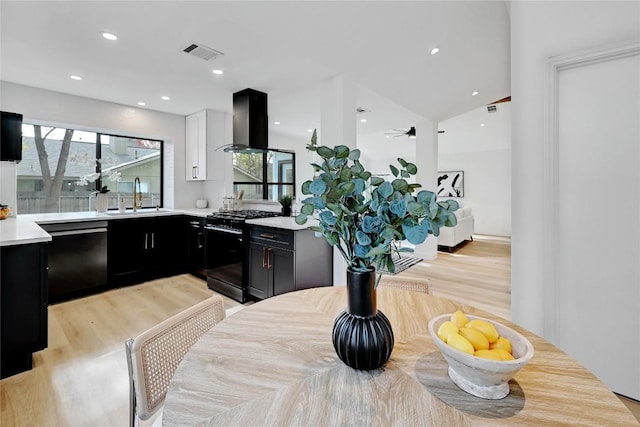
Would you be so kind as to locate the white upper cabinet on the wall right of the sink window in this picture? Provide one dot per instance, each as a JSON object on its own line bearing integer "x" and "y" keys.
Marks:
{"x": 196, "y": 146}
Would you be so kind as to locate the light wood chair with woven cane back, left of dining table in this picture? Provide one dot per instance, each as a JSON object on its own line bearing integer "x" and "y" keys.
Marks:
{"x": 154, "y": 355}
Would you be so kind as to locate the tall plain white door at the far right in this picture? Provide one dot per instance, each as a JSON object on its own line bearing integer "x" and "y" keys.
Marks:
{"x": 598, "y": 232}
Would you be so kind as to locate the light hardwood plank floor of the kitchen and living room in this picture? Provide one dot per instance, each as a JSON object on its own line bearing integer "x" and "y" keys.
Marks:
{"x": 81, "y": 378}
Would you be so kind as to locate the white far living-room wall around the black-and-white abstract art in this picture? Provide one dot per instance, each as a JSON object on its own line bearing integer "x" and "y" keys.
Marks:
{"x": 484, "y": 154}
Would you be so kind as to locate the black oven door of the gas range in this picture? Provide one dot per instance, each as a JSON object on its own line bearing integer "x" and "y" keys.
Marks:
{"x": 224, "y": 253}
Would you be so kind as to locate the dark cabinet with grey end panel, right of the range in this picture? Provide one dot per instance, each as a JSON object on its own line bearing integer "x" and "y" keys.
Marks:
{"x": 285, "y": 260}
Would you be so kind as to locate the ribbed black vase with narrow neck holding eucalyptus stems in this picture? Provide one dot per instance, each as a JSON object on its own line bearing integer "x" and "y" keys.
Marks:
{"x": 362, "y": 335}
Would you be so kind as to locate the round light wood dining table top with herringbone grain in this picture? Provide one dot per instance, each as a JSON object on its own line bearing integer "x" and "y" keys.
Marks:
{"x": 273, "y": 364}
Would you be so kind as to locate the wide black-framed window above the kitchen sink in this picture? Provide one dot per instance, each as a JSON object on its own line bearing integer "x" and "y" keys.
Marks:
{"x": 62, "y": 169}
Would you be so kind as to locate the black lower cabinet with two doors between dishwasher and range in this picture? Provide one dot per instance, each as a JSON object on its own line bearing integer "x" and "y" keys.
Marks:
{"x": 140, "y": 249}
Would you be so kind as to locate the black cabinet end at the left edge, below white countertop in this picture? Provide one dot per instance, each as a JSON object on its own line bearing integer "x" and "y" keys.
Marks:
{"x": 24, "y": 305}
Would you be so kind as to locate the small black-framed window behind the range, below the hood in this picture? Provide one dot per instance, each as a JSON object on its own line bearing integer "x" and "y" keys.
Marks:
{"x": 266, "y": 175}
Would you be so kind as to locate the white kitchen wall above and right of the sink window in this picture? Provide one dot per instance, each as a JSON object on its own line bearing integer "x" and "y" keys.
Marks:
{"x": 90, "y": 114}
